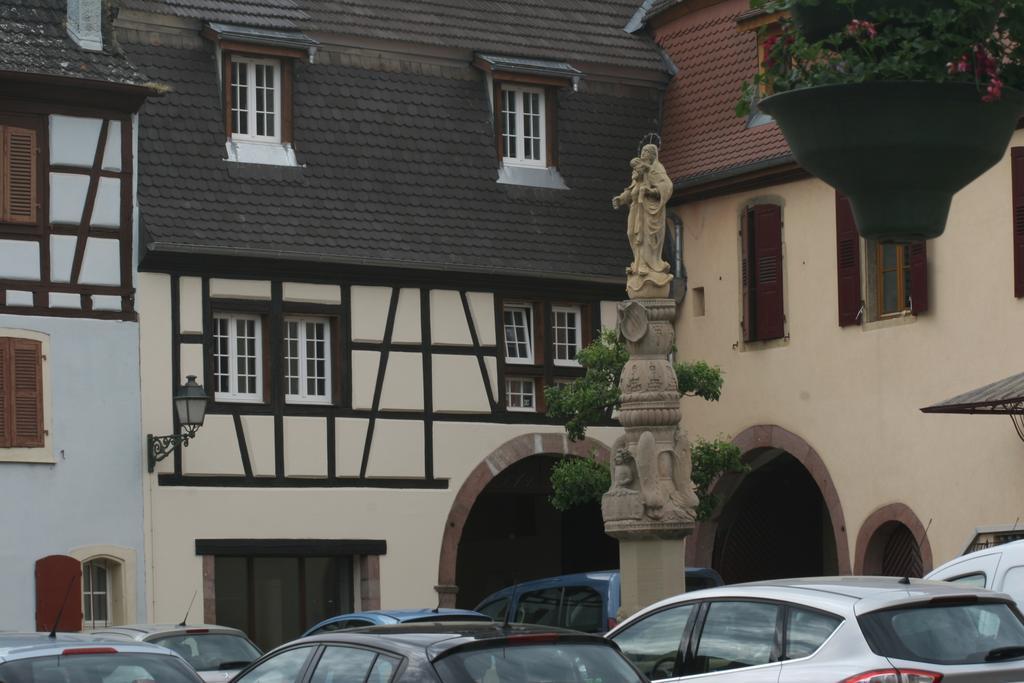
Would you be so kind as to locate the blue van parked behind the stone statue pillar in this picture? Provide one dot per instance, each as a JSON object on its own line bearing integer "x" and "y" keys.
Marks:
{"x": 587, "y": 603}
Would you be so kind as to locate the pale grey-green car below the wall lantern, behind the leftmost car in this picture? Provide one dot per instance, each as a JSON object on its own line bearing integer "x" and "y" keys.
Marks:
{"x": 217, "y": 653}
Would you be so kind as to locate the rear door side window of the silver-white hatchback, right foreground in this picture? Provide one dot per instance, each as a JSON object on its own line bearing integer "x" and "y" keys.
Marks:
{"x": 737, "y": 635}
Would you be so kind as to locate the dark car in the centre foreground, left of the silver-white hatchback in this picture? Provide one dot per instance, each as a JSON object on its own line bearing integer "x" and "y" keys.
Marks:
{"x": 447, "y": 653}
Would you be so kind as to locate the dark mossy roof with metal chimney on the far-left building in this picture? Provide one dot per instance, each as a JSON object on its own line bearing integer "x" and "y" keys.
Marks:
{"x": 33, "y": 40}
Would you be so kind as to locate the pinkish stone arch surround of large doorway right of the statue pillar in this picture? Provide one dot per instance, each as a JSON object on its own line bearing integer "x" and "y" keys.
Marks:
{"x": 753, "y": 443}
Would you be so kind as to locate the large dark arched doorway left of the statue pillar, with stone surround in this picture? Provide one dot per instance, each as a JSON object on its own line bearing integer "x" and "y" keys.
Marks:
{"x": 501, "y": 528}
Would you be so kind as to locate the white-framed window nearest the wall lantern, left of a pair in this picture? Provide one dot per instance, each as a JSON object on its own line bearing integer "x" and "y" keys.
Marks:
{"x": 238, "y": 358}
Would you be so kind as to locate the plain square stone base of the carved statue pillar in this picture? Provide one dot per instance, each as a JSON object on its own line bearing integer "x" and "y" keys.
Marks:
{"x": 651, "y": 570}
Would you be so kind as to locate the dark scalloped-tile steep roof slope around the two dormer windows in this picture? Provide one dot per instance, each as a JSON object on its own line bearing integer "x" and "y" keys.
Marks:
{"x": 399, "y": 169}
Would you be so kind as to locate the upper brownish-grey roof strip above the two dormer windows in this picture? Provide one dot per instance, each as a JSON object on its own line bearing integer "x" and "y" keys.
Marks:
{"x": 576, "y": 31}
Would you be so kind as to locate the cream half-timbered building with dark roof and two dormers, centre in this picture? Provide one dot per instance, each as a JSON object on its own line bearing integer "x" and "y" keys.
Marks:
{"x": 375, "y": 232}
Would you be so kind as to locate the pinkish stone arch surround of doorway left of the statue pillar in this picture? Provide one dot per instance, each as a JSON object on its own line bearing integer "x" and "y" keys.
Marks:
{"x": 508, "y": 454}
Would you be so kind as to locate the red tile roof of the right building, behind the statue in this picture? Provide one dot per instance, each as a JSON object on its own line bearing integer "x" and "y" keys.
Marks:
{"x": 701, "y": 132}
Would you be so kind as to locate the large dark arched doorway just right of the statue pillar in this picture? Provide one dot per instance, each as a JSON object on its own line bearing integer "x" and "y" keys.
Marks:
{"x": 783, "y": 519}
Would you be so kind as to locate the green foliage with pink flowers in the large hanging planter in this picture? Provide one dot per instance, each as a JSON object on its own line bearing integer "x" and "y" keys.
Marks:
{"x": 941, "y": 46}
